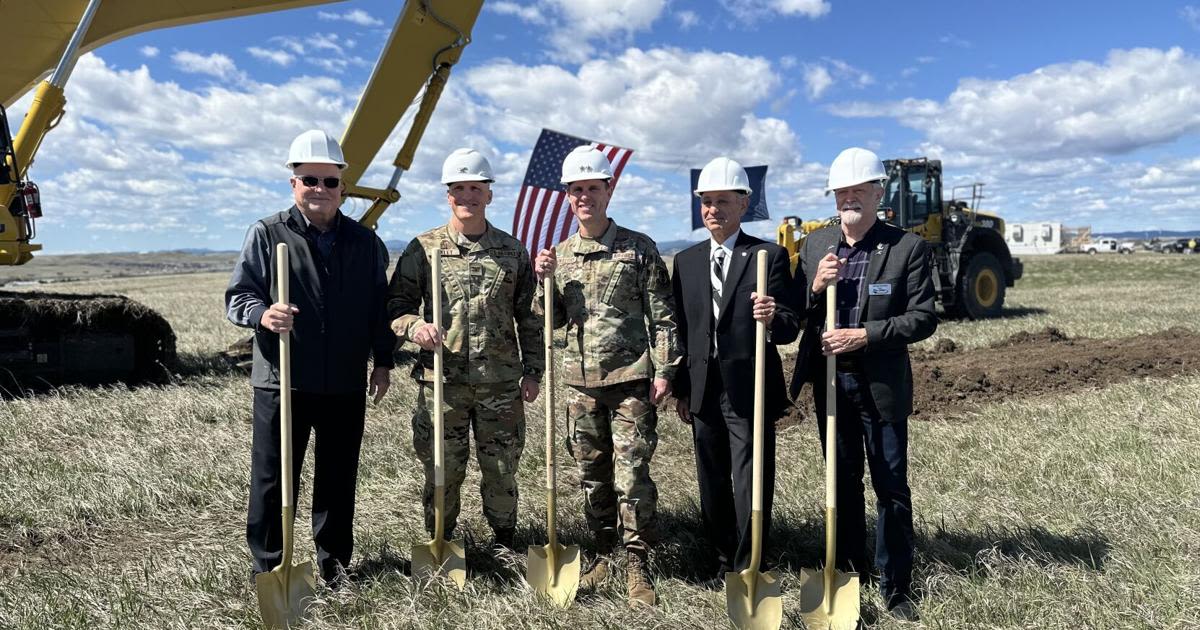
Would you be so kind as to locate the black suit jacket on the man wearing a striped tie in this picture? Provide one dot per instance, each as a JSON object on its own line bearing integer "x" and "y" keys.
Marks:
{"x": 736, "y": 328}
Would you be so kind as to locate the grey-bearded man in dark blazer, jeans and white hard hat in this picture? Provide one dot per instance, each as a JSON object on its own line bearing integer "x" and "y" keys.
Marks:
{"x": 885, "y": 303}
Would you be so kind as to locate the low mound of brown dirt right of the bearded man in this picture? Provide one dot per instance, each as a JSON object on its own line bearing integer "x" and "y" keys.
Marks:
{"x": 1047, "y": 362}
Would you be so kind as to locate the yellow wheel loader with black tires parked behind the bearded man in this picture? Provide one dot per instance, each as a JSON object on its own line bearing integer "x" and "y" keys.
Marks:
{"x": 971, "y": 261}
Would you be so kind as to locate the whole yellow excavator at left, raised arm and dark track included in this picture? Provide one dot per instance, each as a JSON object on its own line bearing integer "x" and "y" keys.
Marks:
{"x": 77, "y": 339}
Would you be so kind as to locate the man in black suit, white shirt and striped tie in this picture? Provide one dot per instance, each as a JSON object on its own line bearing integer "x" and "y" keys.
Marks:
{"x": 717, "y": 305}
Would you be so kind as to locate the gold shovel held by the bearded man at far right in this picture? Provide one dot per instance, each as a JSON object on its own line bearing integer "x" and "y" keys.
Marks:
{"x": 830, "y": 598}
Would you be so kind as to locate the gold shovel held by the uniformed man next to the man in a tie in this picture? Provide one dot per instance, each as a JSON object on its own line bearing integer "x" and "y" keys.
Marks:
{"x": 553, "y": 571}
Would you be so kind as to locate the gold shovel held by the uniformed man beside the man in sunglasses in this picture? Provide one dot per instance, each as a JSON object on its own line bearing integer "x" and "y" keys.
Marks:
{"x": 439, "y": 556}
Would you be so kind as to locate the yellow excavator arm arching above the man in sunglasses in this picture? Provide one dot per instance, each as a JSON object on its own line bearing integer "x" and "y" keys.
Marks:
{"x": 45, "y": 35}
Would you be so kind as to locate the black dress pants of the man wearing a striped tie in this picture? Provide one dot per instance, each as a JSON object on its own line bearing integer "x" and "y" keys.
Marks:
{"x": 725, "y": 469}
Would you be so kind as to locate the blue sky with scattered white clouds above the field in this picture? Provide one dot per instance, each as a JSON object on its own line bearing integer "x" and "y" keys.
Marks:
{"x": 1087, "y": 113}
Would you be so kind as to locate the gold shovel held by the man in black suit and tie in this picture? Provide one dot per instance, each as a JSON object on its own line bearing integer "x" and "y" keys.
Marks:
{"x": 752, "y": 597}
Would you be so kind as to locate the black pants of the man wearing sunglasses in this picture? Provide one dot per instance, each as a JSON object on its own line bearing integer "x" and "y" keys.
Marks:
{"x": 338, "y": 422}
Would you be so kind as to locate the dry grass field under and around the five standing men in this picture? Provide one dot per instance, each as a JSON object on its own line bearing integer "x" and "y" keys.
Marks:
{"x": 124, "y": 508}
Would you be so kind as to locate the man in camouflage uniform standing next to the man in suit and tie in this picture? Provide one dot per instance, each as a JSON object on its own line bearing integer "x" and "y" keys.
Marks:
{"x": 613, "y": 295}
